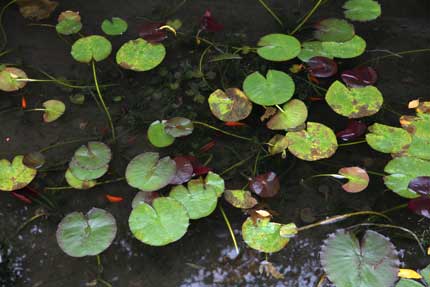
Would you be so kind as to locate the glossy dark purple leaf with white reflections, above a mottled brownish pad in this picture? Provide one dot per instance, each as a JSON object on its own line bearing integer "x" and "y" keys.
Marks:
{"x": 265, "y": 185}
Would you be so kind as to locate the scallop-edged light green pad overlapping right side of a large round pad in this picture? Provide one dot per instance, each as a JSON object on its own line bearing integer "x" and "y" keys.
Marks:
{"x": 198, "y": 199}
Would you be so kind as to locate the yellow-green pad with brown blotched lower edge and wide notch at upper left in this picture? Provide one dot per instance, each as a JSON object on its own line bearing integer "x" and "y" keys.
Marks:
{"x": 354, "y": 102}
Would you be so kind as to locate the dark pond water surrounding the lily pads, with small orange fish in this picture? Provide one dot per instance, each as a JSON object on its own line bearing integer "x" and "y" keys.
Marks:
{"x": 179, "y": 87}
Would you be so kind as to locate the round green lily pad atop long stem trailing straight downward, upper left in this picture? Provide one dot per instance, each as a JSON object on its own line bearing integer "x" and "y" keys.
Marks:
{"x": 94, "y": 47}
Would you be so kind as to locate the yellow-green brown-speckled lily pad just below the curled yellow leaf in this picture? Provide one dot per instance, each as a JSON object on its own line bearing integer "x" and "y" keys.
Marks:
{"x": 140, "y": 55}
